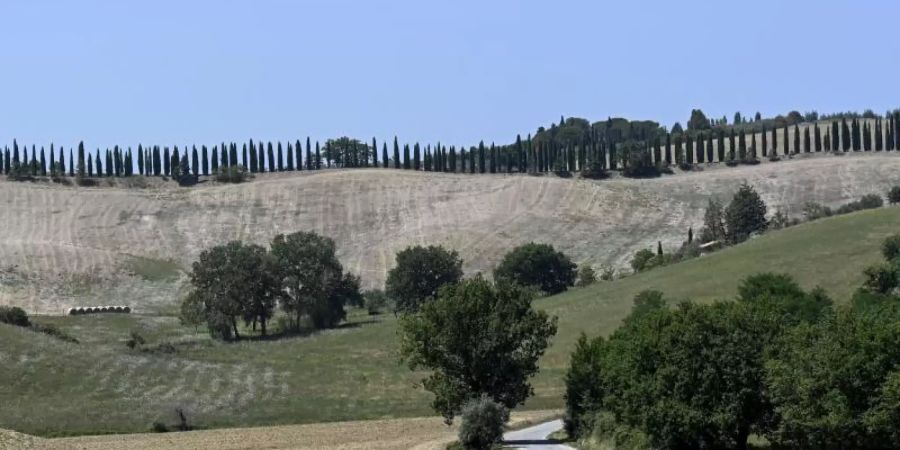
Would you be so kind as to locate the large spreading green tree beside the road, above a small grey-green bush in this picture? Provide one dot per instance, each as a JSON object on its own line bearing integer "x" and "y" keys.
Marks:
{"x": 476, "y": 338}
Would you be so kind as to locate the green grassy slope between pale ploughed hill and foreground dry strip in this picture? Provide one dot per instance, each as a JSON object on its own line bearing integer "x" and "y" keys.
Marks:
{"x": 48, "y": 387}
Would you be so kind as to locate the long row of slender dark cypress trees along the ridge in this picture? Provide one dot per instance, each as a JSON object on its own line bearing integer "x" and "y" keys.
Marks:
{"x": 525, "y": 155}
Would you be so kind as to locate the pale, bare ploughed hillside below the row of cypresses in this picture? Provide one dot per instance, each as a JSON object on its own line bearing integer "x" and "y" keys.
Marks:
{"x": 67, "y": 246}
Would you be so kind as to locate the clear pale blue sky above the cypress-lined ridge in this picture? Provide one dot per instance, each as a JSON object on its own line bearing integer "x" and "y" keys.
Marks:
{"x": 185, "y": 72}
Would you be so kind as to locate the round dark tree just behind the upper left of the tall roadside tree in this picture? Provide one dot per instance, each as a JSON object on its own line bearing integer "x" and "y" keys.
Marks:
{"x": 419, "y": 274}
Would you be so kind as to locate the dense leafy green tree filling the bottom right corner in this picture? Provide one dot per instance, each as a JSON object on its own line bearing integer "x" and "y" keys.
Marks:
{"x": 834, "y": 383}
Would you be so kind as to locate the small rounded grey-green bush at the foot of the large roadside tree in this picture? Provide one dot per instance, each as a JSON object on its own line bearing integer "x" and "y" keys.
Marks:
{"x": 482, "y": 423}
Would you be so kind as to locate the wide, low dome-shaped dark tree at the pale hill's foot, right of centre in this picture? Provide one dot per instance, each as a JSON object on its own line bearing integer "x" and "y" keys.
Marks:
{"x": 538, "y": 265}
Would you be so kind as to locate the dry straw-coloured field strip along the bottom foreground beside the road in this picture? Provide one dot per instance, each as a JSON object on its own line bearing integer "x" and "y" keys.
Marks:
{"x": 394, "y": 434}
